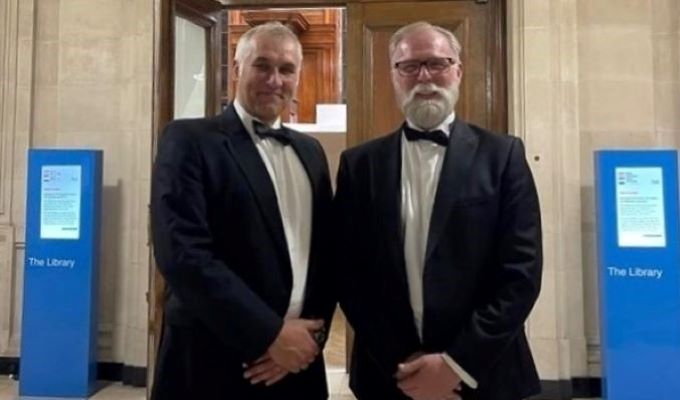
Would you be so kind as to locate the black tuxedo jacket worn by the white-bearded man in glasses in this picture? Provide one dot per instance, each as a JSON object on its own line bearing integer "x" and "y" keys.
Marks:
{"x": 482, "y": 268}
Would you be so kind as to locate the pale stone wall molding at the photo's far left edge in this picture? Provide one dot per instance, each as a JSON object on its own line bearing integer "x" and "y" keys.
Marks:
{"x": 17, "y": 46}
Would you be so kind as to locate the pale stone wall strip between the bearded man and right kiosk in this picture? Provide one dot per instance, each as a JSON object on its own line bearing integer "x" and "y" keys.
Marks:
{"x": 543, "y": 111}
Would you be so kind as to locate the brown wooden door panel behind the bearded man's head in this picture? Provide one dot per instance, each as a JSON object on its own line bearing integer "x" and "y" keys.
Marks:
{"x": 478, "y": 25}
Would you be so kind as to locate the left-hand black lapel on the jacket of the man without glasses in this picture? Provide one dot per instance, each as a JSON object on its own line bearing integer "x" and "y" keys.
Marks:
{"x": 244, "y": 152}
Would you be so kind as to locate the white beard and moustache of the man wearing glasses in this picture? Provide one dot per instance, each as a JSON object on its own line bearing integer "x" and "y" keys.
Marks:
{"x": 429, "y": 113}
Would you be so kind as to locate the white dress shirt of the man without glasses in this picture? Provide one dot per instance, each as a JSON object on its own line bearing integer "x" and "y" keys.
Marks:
{"x": 294, "y": 197}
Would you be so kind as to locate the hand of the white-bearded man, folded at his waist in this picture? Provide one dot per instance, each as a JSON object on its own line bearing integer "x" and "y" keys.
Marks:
{"x": 428, "y": 377}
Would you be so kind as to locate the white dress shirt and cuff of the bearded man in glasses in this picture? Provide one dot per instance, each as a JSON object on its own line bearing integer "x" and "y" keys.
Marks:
{"x": 421, "y": 164}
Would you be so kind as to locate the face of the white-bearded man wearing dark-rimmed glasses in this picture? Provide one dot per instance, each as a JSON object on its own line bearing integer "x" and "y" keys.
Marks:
{"x": 429, "y": 95}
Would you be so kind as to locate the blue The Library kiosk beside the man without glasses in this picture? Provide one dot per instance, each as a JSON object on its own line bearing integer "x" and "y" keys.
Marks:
{"x": 59, "y": 326}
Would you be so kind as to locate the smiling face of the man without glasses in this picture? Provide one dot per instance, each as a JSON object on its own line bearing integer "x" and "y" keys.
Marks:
{"x": 268, "y": 76}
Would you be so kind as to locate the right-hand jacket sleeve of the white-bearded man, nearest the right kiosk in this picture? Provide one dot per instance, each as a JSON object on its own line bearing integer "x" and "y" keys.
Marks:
{"x": 514, "y": 282}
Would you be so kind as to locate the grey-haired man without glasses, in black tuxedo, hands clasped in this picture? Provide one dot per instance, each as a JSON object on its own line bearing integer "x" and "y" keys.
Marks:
{"x": 240, "y": 211}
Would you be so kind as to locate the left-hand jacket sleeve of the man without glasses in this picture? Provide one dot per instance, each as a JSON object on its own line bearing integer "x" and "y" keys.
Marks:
{"x": 183, "y": 247}
